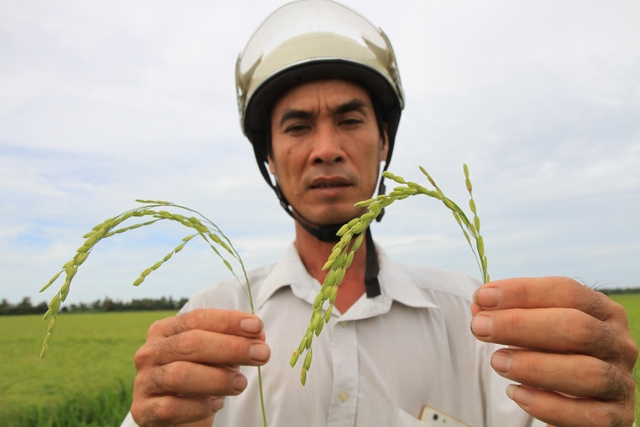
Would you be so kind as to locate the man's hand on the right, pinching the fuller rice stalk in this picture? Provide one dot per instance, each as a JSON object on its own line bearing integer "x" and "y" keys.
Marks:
{"x": 570, "y": 348}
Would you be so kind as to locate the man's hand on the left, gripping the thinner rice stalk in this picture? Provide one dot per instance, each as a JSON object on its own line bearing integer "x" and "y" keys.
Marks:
{"x": 190, "y": 362}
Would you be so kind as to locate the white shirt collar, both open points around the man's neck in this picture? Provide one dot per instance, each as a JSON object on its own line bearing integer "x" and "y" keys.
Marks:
{"x": 395, "y": 284}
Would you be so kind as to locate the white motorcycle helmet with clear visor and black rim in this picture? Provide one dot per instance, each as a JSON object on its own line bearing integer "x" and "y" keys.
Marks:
{"x": 310, "y": 40}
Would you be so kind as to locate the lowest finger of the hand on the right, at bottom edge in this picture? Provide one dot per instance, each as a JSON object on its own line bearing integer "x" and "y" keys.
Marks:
{"x": 564, "y": 411}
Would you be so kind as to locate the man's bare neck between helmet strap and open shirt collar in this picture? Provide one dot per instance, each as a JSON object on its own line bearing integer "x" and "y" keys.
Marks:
{"x": 314, "y": 255}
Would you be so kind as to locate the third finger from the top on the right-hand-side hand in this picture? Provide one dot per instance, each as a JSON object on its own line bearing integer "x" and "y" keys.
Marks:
{"x": 576, "y": 375}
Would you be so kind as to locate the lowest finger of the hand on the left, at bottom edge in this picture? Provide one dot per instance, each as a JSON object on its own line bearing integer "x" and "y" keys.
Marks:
{"x": 172, "y": 410}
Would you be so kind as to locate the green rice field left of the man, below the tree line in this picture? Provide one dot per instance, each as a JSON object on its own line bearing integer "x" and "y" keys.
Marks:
{"x": 88, "y": 369}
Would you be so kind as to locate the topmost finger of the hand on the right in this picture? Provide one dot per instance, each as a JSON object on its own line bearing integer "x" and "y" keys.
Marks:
{"x": 547, "y": 292}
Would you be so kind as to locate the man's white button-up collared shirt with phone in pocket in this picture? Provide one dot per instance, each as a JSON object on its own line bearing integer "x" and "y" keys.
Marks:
{"x": 378, "y": 364}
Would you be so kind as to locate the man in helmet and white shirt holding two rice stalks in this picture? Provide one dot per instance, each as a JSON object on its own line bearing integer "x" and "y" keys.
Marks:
{"x": 320, "y": 100}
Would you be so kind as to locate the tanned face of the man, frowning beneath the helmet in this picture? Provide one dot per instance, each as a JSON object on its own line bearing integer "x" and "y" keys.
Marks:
{"x": 326, "y": 149}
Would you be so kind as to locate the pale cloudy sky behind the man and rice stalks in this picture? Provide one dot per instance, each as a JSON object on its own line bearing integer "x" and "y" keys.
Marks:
{"x": 102, "y": 103}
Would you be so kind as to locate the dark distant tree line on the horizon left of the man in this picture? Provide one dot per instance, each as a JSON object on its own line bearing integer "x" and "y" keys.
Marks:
{"x": 98, "y": 306}
